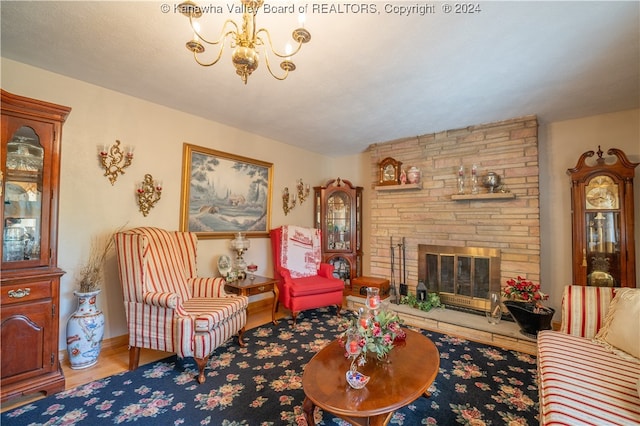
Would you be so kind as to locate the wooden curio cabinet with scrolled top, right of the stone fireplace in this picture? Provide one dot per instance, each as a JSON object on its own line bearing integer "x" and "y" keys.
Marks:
{"x": 602, "y": 219}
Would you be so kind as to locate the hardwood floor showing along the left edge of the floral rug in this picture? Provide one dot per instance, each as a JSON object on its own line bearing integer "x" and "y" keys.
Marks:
{"x": 114, "y": 358}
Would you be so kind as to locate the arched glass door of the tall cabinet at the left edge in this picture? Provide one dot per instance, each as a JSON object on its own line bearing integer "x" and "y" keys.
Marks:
{"x": 23, "y": 189}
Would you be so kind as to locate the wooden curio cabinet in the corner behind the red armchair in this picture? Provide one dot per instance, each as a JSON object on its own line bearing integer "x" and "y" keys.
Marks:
{"x": 338, "y": 215}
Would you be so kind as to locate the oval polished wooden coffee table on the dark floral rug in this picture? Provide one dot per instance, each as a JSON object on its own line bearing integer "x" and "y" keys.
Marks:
{"x": 412, "y": 367}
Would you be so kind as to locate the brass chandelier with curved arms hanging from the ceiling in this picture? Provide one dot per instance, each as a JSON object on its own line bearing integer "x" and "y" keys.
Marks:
{"x": 245, "y": 42}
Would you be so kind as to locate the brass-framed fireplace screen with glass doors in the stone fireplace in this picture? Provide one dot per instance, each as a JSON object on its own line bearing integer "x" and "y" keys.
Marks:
{"x": 462, "y": 276}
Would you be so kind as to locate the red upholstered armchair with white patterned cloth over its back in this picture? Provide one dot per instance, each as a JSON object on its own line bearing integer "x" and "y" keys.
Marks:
{"x": 304, "y": 282}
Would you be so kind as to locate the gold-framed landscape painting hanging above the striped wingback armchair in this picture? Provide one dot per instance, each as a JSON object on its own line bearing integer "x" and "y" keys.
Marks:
{"x": 223, "y": 194}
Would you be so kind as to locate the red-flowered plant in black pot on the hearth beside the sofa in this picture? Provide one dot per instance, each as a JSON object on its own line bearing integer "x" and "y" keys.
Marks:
{"x": 524, "y": 301}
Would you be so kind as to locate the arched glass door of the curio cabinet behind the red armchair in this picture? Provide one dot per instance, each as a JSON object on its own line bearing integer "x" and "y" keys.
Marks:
{"x": 339, "y": 221}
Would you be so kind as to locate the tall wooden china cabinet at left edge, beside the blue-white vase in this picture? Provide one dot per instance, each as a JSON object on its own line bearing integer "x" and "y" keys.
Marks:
{"x": 30, "y": 161}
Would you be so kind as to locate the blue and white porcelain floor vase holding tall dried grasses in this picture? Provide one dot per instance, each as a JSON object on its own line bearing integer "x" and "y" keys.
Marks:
{"x": 85, "y": 327}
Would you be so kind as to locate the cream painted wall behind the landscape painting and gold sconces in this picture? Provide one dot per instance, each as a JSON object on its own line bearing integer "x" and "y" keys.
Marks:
{"x": 90, "y": 206}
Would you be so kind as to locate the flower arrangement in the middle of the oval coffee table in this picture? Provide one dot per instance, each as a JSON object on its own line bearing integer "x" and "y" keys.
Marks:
{"x": 372, "y": 331}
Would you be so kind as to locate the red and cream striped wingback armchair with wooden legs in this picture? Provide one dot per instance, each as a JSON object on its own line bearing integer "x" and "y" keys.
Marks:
{"x": 168, "y": 307}
